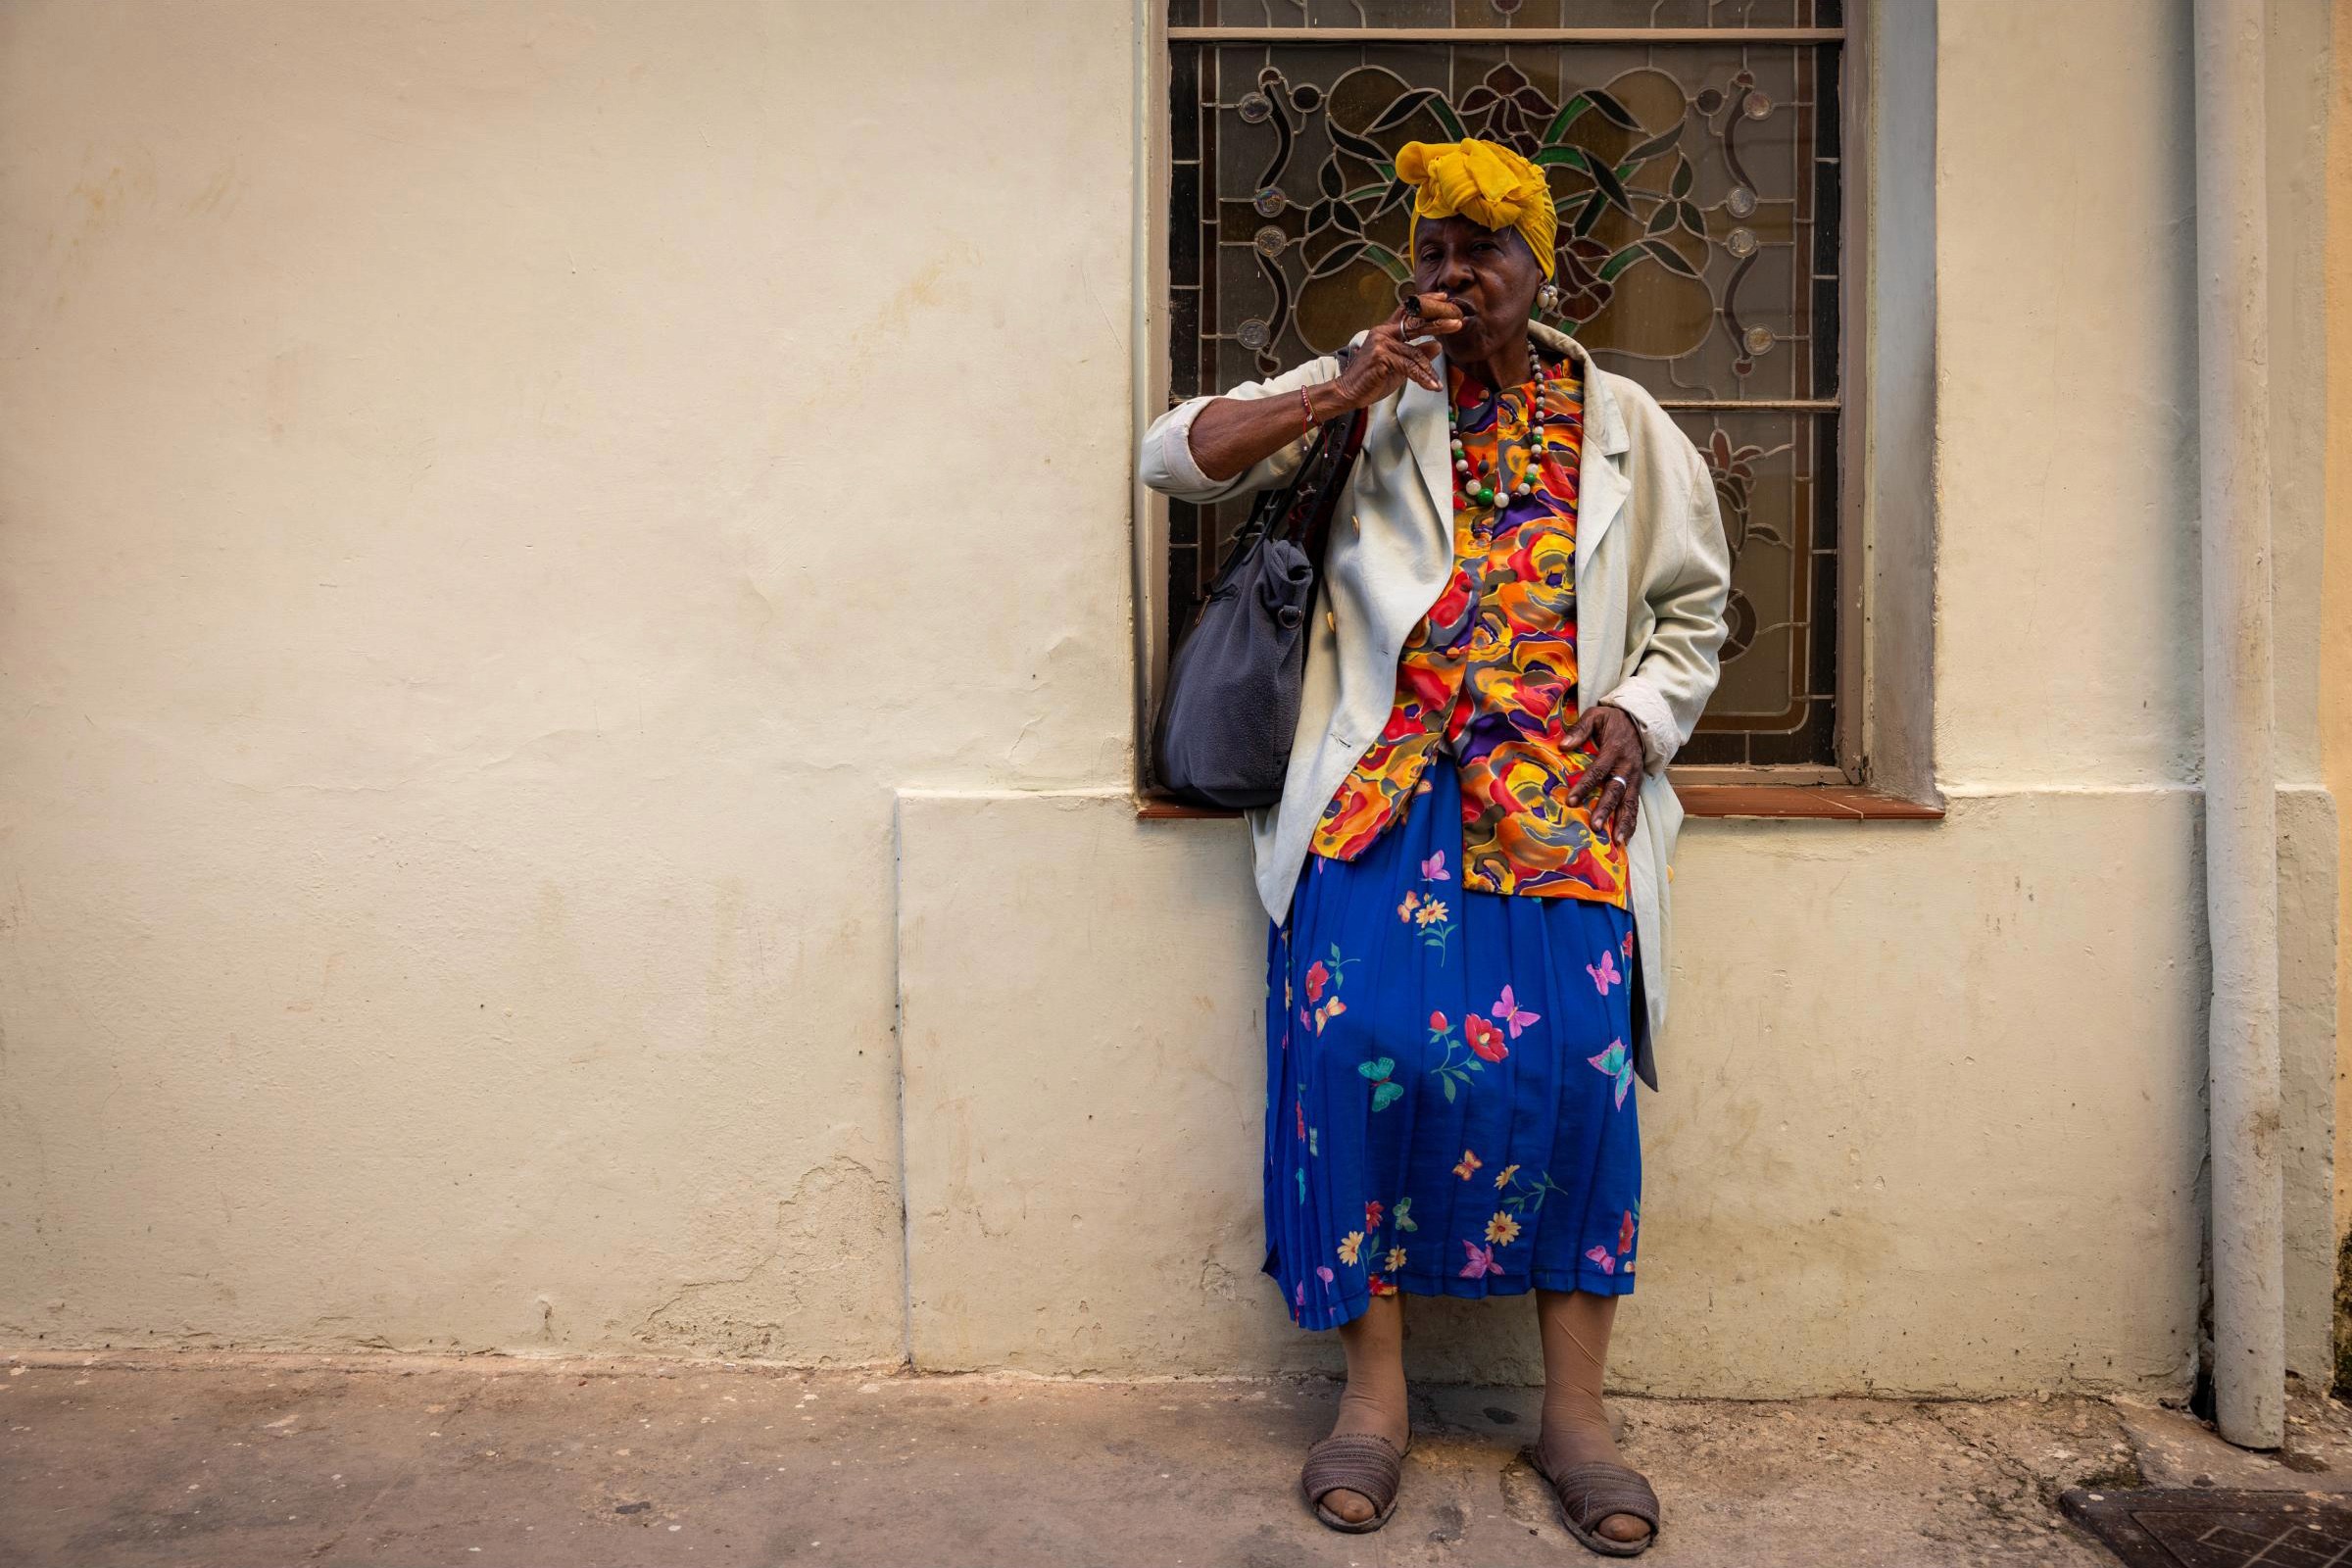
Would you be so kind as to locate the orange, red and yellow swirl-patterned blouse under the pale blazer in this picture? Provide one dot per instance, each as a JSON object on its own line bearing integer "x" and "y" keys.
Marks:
{"x": 1490, "y": 674}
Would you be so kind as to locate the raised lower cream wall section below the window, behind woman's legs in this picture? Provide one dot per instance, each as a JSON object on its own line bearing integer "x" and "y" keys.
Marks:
{"x": 1913, "y": 1172}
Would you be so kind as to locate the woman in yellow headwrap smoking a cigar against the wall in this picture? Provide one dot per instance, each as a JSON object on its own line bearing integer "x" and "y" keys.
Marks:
{"x": 1469, "y": 866}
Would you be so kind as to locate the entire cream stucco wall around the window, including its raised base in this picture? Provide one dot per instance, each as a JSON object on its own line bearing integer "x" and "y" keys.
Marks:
{"x": 570, "y": 570}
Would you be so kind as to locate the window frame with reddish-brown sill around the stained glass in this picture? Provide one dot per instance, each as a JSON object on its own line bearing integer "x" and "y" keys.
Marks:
{"x": 1878, "y": 699}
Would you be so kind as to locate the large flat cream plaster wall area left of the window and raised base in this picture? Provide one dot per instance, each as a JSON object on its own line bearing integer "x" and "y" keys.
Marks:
{"x": 497, "y": 500}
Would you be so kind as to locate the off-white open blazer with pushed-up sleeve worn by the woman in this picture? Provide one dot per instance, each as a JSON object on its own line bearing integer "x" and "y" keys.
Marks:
{"x": 1652, "y": 575}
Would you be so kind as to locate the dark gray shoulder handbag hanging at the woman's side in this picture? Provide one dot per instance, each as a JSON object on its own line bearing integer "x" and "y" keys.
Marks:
{"x": 1224, "y": 735}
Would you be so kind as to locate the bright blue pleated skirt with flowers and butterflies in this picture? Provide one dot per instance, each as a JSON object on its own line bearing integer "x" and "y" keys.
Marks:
{"x": 1448, "y": 1083}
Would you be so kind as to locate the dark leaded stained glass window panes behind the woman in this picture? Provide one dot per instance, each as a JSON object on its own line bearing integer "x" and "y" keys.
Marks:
{"x": 1695, "y": 159}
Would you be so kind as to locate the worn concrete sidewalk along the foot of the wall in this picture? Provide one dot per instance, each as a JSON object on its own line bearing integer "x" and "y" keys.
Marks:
{"x": 258, "y": 1461}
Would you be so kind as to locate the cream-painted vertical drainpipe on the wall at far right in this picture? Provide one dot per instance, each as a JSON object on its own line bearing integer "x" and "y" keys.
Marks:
{"x": 2240, "y": 770}
